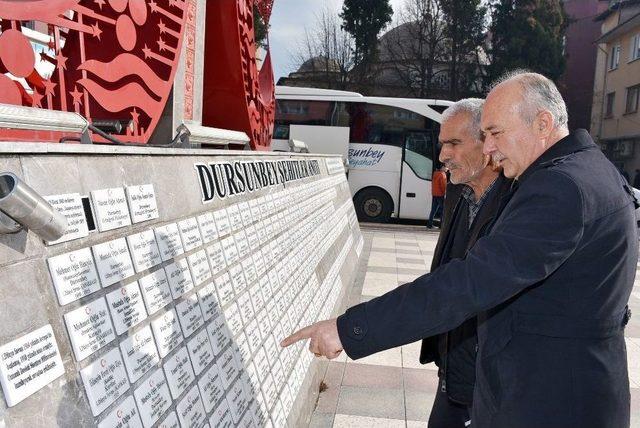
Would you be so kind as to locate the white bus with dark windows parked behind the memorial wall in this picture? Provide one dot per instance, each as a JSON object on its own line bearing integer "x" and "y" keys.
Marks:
{"x": 390, "y": 143}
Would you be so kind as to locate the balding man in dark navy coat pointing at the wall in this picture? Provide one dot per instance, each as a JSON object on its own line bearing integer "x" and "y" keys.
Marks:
{"x": 549, "y": 283}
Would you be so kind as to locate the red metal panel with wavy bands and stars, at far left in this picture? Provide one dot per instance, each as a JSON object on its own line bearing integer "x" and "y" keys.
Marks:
{"x": 114, "y": 59}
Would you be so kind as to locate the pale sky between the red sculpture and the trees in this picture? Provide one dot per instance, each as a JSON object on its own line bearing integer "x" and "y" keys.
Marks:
{"x": 288, "y": 22}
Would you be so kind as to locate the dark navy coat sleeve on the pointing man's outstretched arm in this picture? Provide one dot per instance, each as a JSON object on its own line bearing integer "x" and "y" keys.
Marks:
{"x": 538, "y": 230}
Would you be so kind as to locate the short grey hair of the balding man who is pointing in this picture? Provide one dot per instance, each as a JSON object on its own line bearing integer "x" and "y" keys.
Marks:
{"x": 538, "y": 94}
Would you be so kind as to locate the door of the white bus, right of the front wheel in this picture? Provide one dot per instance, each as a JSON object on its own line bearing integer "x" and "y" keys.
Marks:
{"x": 417, "y": 169}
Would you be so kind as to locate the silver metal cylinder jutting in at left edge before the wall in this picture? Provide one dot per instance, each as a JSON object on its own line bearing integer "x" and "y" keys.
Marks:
{"x": 27, "y": 207}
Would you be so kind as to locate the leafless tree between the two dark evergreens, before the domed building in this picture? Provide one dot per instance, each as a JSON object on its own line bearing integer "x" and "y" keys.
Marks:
{"x": 415, "y": 49}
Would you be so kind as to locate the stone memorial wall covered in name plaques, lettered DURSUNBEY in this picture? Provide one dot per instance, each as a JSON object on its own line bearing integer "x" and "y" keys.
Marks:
{"x": 179, "y": 274}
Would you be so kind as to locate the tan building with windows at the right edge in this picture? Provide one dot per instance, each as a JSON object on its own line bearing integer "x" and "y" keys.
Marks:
{"x": 615, "y": 118}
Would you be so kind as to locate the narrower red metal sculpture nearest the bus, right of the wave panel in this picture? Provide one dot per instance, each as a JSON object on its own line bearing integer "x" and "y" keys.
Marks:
{"x": 237, "y": 94}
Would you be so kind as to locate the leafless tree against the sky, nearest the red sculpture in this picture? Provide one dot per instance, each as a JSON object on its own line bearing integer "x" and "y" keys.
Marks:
{"x": 325, "y": 57}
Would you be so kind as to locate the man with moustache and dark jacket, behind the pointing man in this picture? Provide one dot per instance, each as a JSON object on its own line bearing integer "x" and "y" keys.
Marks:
{"x": 472, "y": 201}
